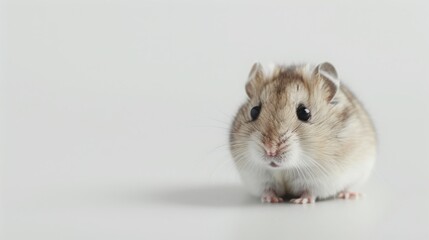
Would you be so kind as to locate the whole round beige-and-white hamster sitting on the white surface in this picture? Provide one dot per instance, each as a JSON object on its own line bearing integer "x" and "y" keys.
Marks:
{"x": 301, "y": 133}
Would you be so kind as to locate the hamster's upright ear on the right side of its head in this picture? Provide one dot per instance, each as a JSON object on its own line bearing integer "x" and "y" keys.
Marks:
{"x": 328, "y": 77}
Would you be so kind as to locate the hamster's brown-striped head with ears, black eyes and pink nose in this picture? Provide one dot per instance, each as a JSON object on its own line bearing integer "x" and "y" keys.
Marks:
{"x": 284, "y": 120}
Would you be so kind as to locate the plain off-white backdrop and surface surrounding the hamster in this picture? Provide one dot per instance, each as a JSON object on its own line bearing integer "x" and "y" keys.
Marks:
{"x": 114, "y": 116}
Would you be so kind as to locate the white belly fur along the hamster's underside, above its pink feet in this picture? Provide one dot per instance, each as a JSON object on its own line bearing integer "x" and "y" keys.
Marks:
{"x": 295, "y": 181}
